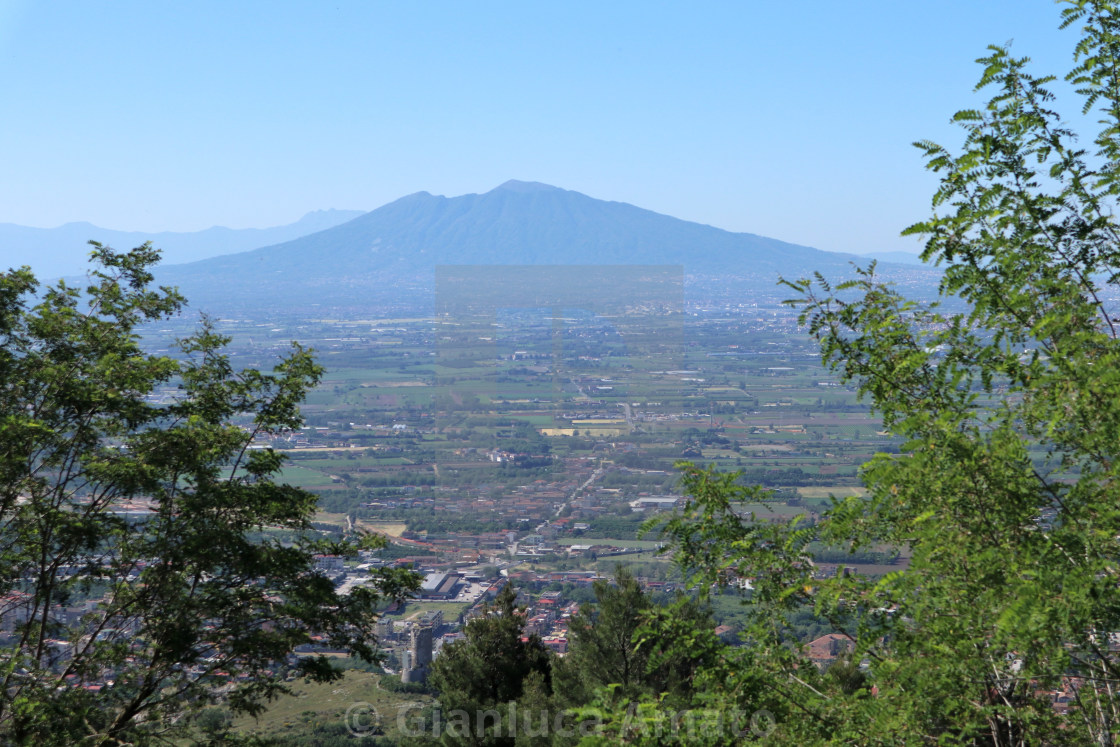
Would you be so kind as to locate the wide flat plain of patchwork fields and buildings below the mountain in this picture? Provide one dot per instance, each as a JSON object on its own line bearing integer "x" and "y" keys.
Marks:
{"x": 465, "y": 429}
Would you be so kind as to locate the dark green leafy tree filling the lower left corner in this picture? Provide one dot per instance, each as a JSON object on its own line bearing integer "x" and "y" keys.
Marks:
{"x": 135, "y": 589}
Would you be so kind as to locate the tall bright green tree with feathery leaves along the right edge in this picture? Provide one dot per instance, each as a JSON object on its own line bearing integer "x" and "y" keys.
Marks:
{"x": 1005, "y": 494}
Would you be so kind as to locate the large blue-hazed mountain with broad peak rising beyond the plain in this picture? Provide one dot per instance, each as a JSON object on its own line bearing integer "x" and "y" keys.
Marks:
{"x": 390, "y": 254}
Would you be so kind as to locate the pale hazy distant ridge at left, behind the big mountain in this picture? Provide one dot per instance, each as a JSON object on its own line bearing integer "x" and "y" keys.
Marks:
{"x": 64, "y": 251}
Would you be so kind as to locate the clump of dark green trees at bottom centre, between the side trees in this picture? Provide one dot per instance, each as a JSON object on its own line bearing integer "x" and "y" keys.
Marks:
{"x": 498, "y": 669}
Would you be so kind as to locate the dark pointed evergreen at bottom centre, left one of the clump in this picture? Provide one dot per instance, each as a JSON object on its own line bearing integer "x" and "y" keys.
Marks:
{"x": 481, "y": 676}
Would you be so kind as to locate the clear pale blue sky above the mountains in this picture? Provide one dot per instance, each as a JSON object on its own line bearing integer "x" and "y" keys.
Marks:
{"x": 789, "y": 120}
